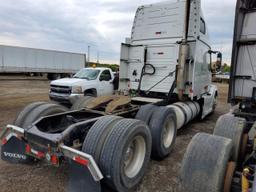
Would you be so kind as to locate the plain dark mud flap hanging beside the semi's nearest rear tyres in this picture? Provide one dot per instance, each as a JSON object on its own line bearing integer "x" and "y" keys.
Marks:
{"x": 81, "y": 180}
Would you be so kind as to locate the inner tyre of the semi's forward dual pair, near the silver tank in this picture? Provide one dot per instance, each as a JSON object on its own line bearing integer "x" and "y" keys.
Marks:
{"x": 145, "y": 112}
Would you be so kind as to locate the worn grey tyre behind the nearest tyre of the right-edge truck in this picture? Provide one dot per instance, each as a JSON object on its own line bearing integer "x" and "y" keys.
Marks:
{"x": 231, "y": 127}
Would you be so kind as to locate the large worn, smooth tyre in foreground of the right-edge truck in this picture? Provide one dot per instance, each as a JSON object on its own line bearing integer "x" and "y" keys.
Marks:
{"x": 205, "y": 163}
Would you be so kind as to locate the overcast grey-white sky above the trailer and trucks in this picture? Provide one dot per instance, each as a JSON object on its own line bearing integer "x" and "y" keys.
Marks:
{"x": 72, "y": 25}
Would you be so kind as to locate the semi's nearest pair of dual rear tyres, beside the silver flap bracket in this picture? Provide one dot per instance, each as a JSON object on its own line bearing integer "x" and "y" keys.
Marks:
{"x": 121, "y": 147}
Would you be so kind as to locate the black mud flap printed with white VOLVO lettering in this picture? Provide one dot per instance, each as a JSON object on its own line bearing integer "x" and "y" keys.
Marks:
{"x": 14, "y": 151}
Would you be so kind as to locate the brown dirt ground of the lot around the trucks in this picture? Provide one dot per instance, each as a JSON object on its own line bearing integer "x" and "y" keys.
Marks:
{"x": 160, "y": 177}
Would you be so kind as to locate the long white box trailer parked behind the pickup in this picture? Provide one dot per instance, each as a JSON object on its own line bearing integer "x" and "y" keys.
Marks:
{"x": 55, "y": 64}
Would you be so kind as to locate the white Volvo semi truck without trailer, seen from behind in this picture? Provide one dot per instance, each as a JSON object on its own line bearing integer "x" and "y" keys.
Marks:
{"x": 165, "y": 81}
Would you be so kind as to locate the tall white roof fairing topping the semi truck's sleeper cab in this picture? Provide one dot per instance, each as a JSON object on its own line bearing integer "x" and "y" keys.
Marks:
{"x": 165, "y": 20}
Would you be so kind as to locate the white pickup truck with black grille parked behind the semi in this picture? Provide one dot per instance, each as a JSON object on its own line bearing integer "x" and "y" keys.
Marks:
{"x": 87, "y": 81}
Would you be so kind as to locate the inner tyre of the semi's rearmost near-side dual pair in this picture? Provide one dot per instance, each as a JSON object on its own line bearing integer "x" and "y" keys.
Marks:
{"x": 97, "y": 135}
